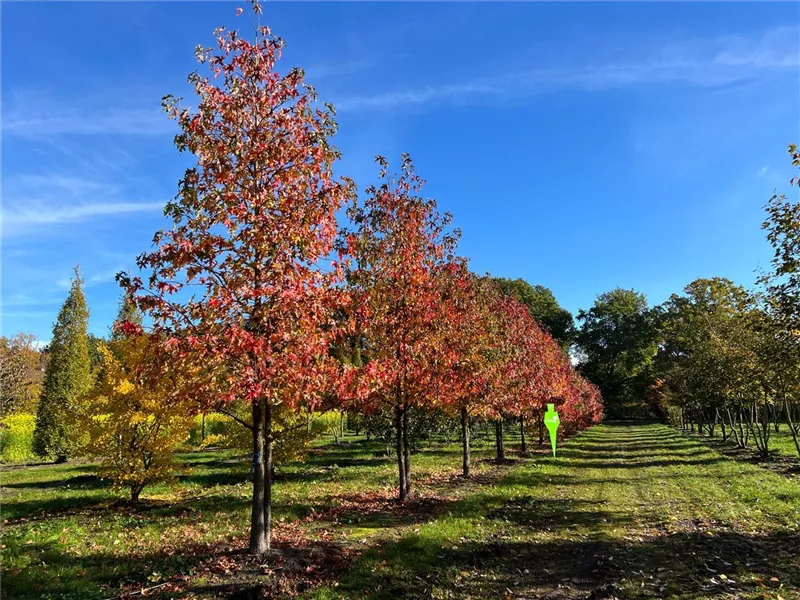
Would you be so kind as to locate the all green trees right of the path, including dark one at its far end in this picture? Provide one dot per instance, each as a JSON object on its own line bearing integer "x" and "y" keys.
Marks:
{"x": 718, "y": 356}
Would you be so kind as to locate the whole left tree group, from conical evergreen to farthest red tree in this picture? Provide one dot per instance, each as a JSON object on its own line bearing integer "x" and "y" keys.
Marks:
{"x": 257, "y": 304}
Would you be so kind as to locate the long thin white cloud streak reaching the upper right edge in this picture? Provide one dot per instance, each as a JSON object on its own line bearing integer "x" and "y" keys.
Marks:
{"x": 707, "y": 63}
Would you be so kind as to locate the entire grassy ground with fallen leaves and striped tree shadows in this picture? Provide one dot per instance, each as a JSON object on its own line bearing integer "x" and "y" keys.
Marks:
{"x": 627, "y": 511}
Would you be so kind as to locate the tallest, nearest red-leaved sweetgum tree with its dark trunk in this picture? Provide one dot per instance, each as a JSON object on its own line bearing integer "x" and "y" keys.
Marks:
{"x": 237, "y": 291}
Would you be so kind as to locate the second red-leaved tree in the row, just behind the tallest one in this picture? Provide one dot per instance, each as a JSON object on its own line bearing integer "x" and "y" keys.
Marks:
{"x": 399, "y": 252}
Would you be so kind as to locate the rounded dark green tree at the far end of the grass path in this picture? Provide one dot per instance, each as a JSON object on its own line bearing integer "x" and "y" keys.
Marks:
{"x": 617, "y": 344}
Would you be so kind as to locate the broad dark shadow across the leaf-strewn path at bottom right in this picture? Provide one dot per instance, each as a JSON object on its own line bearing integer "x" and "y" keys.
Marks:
{"x": 679, "y": 565}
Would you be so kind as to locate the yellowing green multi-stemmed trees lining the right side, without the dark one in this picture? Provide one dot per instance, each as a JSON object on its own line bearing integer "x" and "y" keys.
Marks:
{"x": 731, "y": 356}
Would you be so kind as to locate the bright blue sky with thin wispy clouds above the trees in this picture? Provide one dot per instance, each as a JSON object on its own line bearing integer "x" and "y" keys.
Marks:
{"x": 582, "y": 146}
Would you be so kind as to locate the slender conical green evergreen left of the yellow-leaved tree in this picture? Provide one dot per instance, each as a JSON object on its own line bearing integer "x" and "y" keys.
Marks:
{"x": 68, "y": 376}
